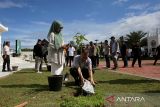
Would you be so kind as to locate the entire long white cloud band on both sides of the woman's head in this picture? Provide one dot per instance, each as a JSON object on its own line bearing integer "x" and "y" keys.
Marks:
{"x": 101, "y": 31}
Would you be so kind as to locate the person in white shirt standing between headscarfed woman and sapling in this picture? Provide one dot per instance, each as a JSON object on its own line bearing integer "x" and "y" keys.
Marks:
{"x": 71, "y": 52}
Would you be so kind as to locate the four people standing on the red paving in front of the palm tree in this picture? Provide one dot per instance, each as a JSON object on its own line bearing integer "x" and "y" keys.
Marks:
{"x": 114, "y": 50}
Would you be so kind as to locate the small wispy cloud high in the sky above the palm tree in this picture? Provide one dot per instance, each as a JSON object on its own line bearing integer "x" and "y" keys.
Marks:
{"x": 139, "y": 6}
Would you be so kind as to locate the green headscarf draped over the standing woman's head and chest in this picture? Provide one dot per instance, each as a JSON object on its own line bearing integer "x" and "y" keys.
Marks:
{"x": 57, "y": 36}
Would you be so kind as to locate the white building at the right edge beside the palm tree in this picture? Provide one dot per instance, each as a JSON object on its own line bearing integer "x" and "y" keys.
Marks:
{"x": 153, "y": 41}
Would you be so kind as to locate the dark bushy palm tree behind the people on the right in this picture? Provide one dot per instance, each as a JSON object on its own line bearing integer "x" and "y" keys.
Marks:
{"x": 134, "y": 37}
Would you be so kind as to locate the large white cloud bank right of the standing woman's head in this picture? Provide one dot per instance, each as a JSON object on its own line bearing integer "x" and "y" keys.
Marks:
{"x": 145, "y": 22}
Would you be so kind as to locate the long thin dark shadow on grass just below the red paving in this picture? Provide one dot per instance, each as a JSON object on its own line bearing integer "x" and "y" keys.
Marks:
{"x": 129, "y": 81}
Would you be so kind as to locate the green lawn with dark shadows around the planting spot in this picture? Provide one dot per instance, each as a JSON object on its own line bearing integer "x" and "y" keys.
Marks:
{"x": 26, "y": 85}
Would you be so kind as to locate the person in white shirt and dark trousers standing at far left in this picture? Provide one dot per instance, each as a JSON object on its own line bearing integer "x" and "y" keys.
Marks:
{"x": 6, "y": 56}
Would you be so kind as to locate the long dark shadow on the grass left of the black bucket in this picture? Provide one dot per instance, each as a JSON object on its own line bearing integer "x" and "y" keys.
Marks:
{"x": 36, "y": 87}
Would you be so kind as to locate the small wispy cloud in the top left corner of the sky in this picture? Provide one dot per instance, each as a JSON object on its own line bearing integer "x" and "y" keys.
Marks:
{"x": 10, "y": 4}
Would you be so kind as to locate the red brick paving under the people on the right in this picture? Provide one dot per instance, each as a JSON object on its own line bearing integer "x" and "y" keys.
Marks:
{"x": 148, "y": 70}
